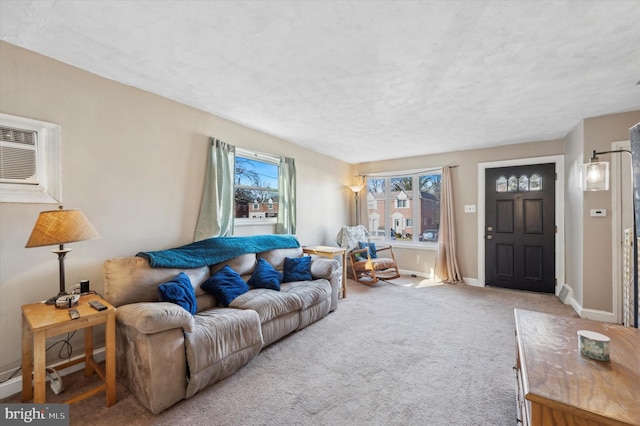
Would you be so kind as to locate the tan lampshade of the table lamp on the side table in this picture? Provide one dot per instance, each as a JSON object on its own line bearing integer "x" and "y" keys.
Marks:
{"x": 61, "y": 227}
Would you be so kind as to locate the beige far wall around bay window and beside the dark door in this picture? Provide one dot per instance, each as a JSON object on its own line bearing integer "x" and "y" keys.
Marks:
{"x": 465, "y": 187}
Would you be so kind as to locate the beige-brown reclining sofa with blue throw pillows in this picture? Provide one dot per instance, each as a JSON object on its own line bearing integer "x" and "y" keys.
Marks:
{"x": 166, "y": 354}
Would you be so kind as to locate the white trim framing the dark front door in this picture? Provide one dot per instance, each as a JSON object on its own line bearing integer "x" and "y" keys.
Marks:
{"x": 559, "y": 162}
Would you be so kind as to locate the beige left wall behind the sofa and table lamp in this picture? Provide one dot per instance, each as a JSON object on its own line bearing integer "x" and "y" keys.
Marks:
{"x": 134, "y": 162}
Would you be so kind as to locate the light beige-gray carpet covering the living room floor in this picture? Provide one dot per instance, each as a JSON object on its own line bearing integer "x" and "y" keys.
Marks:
{"x": 407, "y": 352}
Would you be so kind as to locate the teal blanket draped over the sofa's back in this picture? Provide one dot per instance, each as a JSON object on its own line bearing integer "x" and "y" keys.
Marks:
{"x": 216, "y": 250}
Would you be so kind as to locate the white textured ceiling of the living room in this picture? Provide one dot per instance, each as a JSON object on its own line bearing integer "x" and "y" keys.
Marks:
{"x": 358, "y": 80}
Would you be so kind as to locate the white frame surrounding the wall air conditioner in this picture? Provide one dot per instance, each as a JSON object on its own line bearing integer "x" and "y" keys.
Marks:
{"x": 48, "y": 190}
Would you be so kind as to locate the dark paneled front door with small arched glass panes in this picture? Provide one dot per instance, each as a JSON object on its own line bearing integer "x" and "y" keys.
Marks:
{"x": 520, "y": 227}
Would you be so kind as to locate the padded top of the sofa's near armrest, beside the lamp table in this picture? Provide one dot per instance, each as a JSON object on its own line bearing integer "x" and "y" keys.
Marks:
{"x": 154, "y": 317}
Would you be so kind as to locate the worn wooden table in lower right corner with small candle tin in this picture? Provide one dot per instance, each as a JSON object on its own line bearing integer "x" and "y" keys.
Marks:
{"x": 559, "y": 386}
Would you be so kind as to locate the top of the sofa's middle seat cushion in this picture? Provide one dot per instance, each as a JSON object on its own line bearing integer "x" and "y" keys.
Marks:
{"x": 268, "y": 304}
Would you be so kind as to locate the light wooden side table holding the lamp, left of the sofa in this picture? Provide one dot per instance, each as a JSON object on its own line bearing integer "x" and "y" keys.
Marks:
{"x": 40, "y": 321}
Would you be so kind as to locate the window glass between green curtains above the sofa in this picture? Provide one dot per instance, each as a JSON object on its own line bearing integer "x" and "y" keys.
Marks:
{"x": 256, "y": 189}
